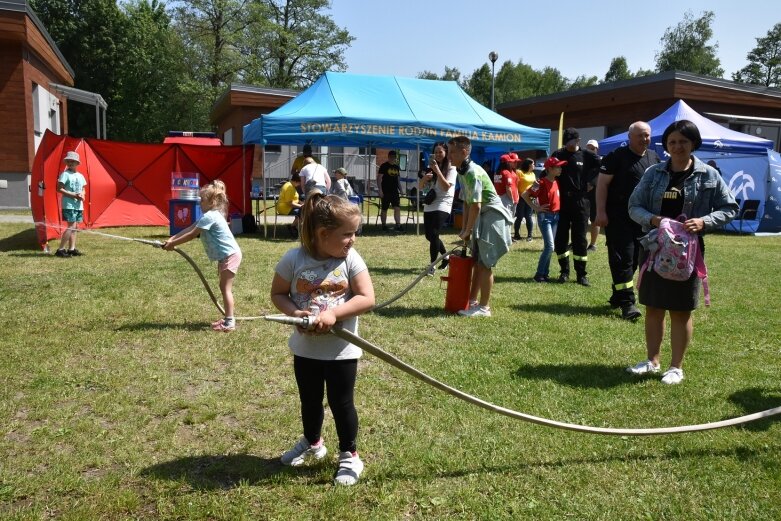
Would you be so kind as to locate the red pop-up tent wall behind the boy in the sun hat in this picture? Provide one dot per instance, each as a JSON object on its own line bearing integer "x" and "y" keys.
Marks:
{"x": 129, "y": 184}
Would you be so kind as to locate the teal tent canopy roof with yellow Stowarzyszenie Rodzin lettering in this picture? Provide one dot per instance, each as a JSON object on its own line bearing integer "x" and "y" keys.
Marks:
{"x": 342, "y": 109}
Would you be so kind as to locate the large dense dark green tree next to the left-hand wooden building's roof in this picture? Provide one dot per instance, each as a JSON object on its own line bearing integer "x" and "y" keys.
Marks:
{"x": 134, "y": 60}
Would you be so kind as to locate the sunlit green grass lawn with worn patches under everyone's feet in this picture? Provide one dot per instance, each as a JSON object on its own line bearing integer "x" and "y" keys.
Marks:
{"x": 118, "y": 402}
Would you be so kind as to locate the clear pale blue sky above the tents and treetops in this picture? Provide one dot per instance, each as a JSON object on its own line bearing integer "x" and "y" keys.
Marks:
{"x": 406, "y": 37}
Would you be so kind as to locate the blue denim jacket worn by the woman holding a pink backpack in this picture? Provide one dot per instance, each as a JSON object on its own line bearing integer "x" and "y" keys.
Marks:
{"x": 706, "y": 196}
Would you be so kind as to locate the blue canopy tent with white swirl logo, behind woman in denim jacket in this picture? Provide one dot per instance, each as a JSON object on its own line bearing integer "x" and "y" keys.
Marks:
{"x": 748, "y": 164}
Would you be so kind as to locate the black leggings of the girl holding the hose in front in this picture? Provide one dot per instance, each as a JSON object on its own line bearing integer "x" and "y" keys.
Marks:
{"x": 338, "y": 377}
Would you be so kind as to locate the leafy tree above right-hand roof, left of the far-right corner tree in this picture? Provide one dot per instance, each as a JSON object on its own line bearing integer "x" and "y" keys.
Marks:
{"x": 685, "y": 48}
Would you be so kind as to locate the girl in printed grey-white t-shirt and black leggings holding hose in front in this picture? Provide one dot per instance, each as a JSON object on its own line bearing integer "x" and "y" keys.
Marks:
{"x": 327, "y": 278}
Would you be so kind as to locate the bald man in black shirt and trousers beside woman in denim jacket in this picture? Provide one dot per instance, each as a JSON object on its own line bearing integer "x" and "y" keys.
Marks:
{"x": 620, "y": 172}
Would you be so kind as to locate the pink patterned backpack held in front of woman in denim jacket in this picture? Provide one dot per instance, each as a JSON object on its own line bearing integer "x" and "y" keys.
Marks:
{"x": 675, "y": 254}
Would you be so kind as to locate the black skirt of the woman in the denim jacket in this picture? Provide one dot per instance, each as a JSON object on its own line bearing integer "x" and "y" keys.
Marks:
{"x": 672, "y": 295}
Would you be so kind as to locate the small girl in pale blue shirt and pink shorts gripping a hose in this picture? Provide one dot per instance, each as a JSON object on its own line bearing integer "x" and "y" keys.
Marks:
{"x": 219, "y": 243}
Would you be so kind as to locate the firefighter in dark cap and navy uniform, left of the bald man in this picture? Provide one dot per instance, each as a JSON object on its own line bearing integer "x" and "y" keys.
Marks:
{"x": 578, "y": 177}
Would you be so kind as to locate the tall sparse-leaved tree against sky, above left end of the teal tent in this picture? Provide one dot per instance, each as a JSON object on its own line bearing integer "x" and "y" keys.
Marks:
{"x": 292, "y": 43}
